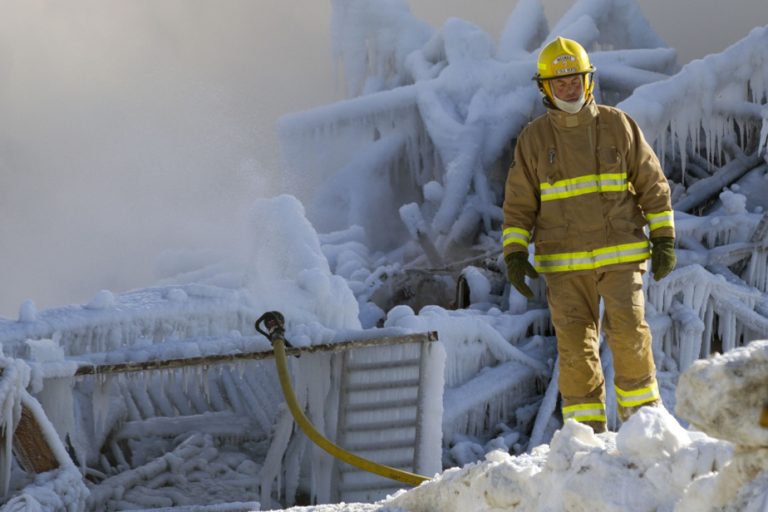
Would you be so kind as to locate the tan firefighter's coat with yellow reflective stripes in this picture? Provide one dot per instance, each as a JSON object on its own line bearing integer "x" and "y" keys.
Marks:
{"x": 582, "y": 187}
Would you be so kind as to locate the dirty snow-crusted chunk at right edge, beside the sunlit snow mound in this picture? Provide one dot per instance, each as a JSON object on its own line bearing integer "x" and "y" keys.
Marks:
{"x": 723, "y": 396}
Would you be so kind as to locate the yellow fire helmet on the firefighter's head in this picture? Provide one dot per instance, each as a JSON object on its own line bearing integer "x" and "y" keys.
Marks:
{"x": 564, "y": 57}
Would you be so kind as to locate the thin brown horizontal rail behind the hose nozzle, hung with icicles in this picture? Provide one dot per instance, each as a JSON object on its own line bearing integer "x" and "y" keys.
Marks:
{"x": 140, "y": 366}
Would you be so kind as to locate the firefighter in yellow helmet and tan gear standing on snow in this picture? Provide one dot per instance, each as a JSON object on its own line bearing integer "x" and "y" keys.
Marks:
{"x": 583, "y": 186}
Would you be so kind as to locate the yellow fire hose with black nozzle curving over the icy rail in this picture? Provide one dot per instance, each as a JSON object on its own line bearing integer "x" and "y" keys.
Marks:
{"x": 275, "y": 330}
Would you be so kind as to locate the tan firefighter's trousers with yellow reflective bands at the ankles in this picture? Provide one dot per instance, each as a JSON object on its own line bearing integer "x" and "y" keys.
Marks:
{"x": 574, "y": 303}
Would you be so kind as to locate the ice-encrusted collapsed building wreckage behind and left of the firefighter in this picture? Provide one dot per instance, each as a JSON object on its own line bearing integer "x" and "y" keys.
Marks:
{"x": 413, "y": 163}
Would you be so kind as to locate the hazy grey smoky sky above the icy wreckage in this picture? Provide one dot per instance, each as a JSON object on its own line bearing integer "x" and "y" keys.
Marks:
{"x": 131, "y": 127}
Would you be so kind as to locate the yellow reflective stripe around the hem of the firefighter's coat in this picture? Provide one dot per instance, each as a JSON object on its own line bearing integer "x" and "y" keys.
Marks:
{"x": 588, "y": 260}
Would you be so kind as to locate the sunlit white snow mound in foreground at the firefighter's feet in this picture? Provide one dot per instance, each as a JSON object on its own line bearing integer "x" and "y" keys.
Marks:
{"x": 647, "y": 465}
